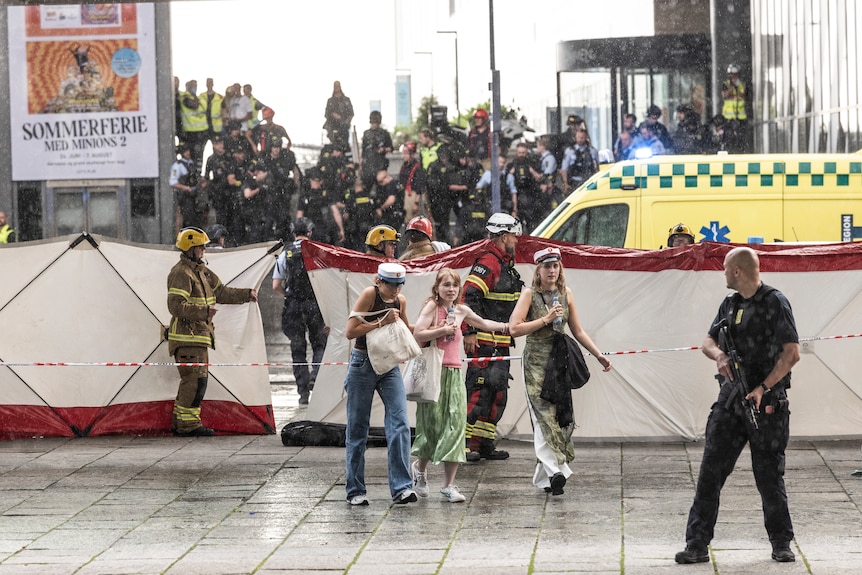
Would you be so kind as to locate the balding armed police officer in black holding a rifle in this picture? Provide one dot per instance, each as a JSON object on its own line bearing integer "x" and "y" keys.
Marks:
{"x": 761, "y": 325}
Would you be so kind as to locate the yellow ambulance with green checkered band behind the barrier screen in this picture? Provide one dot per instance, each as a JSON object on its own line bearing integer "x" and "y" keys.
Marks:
{"x": 724, "y": 198}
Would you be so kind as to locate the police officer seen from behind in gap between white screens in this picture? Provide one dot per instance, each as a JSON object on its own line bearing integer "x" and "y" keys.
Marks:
{"x": 301, "y": 312}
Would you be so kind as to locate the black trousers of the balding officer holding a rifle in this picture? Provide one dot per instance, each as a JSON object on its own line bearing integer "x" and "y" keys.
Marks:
{"x": 726, "y": 436}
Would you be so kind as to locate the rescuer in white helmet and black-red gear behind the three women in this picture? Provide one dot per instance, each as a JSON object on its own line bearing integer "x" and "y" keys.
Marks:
{"x": 491, "y": 290}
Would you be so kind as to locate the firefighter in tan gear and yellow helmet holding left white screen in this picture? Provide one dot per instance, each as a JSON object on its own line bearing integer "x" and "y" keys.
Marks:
{"x": 193, "y": 291}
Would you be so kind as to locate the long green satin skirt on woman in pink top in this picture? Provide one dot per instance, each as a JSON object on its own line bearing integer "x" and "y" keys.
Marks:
{"x": 441, "y": 427}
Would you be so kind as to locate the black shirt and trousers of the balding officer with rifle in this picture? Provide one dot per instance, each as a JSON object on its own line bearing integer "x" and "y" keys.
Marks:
{"x": 759, "y": 327}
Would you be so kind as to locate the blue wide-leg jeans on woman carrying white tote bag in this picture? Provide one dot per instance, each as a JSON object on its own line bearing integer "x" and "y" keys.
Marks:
{"x": 360, "y": 385}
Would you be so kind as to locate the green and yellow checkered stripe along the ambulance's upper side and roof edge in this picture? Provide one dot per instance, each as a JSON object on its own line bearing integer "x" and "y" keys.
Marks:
{"x": 743, "y": 174}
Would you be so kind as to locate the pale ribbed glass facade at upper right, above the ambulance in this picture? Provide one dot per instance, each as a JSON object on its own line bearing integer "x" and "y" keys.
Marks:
{"x": 805, "y": 65}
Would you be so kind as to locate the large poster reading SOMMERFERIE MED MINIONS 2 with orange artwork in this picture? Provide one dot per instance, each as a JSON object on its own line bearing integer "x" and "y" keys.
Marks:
{"x": 83, "y": 91}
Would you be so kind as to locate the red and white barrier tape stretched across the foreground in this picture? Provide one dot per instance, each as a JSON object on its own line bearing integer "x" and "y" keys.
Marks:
{"x": 291, "y": 364}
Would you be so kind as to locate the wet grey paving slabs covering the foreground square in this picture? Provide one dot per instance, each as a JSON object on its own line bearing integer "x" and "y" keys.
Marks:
{"x": 247, "y": 504}
